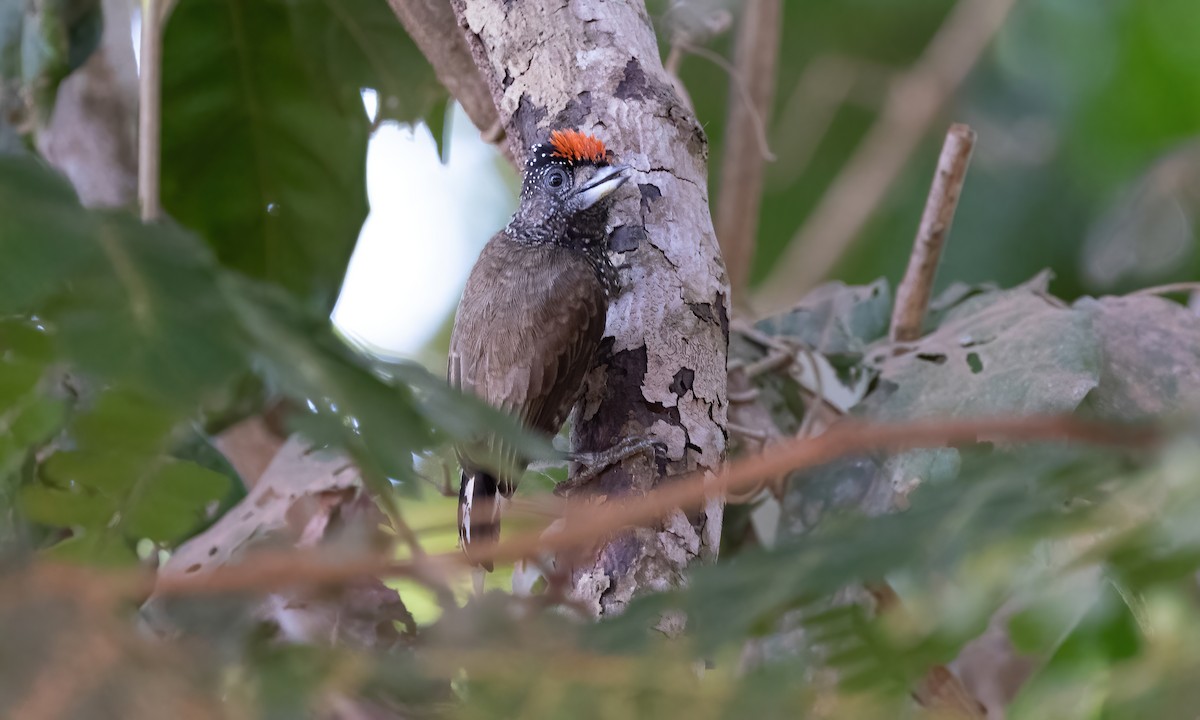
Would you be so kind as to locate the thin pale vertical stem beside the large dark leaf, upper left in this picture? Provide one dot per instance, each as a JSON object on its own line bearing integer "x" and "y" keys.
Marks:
{"x": 151, "y": 111}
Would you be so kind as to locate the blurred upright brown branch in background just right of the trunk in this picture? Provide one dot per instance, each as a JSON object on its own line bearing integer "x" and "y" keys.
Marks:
{"x": 742, "y": 169}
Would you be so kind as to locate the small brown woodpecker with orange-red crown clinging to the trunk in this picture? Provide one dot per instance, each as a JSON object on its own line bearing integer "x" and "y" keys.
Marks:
{"x": 532, "y": 316}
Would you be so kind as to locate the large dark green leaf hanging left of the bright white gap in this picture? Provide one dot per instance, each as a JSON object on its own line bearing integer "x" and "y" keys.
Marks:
{"x": 268, "y": 165}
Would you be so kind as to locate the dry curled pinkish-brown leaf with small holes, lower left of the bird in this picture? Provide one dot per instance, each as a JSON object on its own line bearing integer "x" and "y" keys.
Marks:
{"x": 314, "y": 502}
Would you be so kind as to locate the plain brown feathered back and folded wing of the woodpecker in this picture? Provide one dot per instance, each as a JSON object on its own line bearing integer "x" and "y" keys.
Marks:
{"x": 527, "y": 331}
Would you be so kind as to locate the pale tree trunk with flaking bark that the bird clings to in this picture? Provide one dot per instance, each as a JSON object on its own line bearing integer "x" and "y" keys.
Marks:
{"x": 596, "y": 67}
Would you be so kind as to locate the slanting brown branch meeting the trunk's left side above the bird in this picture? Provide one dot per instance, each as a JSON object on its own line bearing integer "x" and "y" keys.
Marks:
{"x": 434, "y": 28}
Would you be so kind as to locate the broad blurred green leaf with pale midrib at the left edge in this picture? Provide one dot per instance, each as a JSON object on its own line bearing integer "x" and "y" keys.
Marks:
{"x": 125, "y": 301}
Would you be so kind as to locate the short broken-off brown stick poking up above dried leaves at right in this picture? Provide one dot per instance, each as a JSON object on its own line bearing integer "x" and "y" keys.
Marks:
{"x": 914, "y": 293}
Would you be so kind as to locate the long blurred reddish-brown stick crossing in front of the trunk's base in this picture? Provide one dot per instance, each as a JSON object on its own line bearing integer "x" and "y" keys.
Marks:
{"x": 589, "y": 524}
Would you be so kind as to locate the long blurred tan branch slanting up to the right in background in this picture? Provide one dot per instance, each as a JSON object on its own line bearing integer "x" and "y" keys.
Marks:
{"x": 914, "y": 104}
